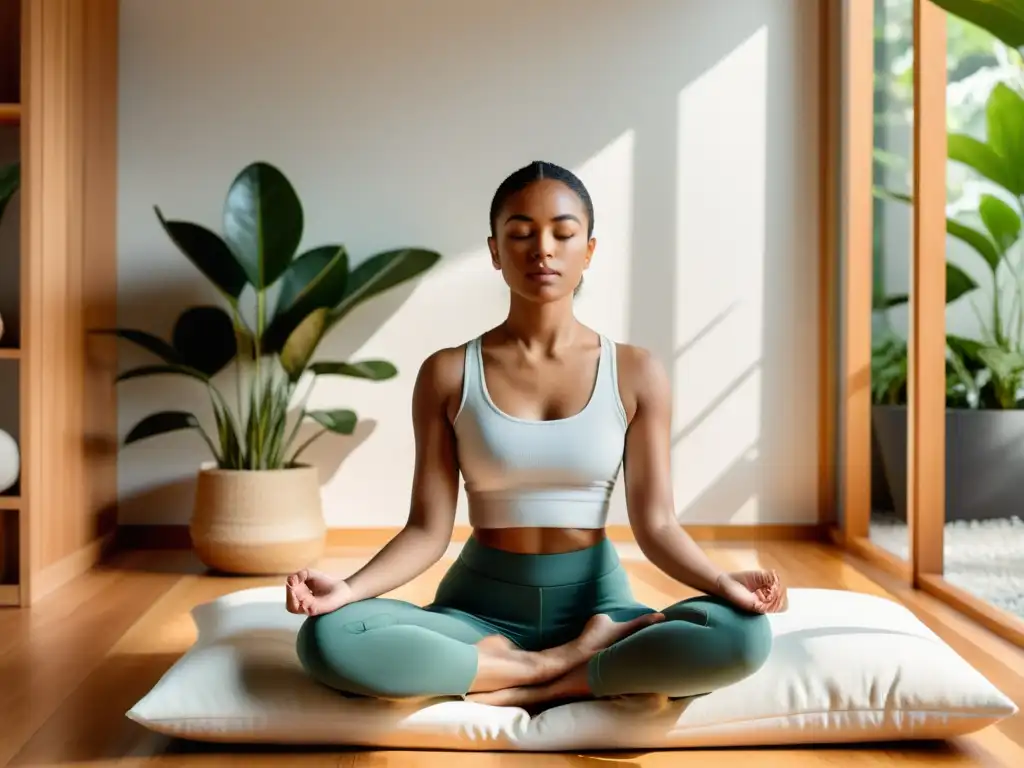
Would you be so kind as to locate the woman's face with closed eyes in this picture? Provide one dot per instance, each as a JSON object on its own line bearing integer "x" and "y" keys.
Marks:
{"x": 541, "y": 243}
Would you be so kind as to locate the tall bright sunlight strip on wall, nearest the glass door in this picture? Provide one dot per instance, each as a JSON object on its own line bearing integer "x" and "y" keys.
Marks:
{"x": 721, "y": 198}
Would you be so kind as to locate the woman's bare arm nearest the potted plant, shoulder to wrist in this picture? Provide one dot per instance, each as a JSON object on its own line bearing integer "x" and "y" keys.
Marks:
{"x": 436, "y": 485}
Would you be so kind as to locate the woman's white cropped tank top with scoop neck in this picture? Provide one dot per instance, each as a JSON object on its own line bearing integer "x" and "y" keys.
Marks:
{"x": 550, "y": 475}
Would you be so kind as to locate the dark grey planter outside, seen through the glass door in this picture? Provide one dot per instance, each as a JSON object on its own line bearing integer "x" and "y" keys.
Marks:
{"x": 985, "y": 461}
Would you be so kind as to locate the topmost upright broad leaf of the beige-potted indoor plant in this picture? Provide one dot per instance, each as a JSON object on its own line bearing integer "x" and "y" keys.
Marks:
{"x": 264, "y": 223}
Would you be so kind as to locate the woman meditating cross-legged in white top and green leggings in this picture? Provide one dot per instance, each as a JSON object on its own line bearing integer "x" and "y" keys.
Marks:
{"x": 539, "y": 415}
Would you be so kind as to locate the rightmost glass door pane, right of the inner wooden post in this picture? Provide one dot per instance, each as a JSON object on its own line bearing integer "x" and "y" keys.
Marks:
{"x": 980, "y": 550}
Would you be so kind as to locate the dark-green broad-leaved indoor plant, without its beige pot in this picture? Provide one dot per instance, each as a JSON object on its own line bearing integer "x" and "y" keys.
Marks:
{"x": 272, "y": 349}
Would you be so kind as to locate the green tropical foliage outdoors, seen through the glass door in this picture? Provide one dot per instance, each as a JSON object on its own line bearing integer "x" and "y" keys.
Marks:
{"x": 989, "y": 371}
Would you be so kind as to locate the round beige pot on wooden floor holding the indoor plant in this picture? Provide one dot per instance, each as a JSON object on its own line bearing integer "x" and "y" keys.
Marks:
{"x": 259, "y": 522}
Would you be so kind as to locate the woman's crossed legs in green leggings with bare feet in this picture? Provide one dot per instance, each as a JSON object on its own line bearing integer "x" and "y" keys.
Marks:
{"x": 394, "y": 650}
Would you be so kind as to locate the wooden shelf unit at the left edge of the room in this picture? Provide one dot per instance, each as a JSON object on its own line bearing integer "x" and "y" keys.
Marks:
{"x": 59, "y": 106}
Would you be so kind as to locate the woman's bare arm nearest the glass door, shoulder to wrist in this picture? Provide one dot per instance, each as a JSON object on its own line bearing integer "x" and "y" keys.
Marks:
{"x": 648, "y": 468}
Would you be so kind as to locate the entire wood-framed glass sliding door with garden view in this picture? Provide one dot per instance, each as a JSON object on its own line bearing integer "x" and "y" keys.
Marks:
{"x": 931, "y": 286}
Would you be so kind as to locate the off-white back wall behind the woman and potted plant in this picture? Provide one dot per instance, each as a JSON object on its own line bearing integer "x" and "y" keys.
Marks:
{"x": 692, "y": 121}
